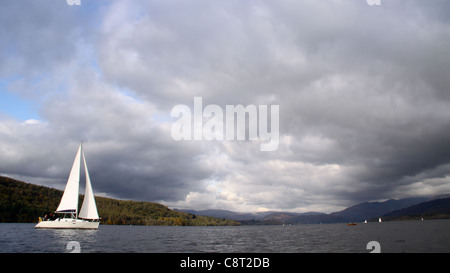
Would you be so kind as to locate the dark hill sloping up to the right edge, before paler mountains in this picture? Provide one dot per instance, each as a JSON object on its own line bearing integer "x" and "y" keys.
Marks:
{"x": 433, "y": 209}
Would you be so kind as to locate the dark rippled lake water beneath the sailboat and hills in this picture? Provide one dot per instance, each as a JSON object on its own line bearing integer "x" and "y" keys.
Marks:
{"x": 408, "y": 236}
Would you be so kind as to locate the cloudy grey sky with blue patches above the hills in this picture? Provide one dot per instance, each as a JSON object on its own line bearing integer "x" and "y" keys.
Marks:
{"x": 363, "y": 94}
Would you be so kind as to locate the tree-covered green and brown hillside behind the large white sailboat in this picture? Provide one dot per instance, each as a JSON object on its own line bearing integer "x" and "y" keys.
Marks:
{"x": 22, "y": 202}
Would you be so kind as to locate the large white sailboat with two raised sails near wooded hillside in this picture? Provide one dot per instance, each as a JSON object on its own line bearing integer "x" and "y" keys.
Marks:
{"x": 88, "y": 217}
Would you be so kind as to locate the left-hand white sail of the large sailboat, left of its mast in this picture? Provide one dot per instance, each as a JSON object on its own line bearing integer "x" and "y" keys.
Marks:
{"x": 69, "y": 200}
